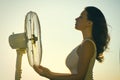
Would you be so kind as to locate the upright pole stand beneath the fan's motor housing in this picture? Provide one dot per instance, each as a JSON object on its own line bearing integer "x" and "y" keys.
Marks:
{"x": 18, "y": 72}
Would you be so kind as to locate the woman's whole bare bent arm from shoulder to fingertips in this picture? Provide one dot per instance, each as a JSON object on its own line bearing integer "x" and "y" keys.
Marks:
{"x": 85, "y": 53}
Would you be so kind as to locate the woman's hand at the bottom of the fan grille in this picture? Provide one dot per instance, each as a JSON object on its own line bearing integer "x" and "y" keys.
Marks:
{"x": 42, "y": 71}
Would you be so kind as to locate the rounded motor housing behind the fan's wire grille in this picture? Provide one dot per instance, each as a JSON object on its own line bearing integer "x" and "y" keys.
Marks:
{"x": 18, "y": 41}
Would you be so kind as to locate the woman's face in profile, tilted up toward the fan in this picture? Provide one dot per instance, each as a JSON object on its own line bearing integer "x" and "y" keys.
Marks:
{"x": 81, "y": 21}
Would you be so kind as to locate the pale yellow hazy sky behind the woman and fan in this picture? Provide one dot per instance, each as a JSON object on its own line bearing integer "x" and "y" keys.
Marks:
{"x": 59, "y": 37}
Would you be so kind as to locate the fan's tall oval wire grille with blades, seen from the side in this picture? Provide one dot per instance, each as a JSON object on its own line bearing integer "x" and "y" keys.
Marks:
{"x": 33, "y": 33}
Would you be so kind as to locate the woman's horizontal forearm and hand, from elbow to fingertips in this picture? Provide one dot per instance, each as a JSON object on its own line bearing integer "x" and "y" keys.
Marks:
{"x": 55, "y": 76}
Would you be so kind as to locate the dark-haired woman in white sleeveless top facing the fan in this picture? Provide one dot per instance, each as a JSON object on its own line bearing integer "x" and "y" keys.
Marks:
{"x": 81, "y": 60}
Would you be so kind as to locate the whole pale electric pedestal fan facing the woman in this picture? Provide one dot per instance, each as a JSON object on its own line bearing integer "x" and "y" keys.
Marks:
{"x": 29, "y": 41}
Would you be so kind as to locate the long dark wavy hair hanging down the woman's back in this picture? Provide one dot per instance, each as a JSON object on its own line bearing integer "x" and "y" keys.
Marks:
{"x": 99, "y": 30}
